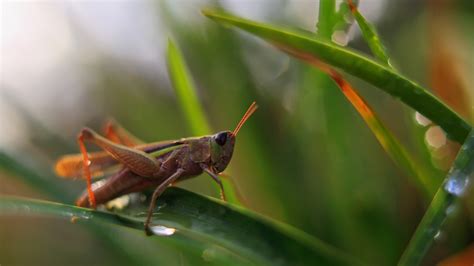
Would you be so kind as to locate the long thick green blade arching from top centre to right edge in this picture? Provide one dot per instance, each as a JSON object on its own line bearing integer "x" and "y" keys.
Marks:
{"x": 381, "y": 76}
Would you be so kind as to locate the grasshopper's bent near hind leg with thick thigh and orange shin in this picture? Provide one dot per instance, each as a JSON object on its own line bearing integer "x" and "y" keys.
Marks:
{"x": 137, "y": 161}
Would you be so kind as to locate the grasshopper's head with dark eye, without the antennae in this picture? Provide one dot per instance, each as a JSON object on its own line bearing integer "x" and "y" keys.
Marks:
{"x": 222, "y": 147}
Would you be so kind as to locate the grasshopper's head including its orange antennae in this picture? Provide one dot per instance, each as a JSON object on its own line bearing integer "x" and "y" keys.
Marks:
{"x": 222, "y": 143}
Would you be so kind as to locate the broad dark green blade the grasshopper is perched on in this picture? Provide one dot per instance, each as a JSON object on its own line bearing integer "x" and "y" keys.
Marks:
{"x": 248, "y": 235}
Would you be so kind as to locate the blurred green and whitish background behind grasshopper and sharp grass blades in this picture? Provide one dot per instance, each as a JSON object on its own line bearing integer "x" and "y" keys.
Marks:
{"x": 306, "y": 157}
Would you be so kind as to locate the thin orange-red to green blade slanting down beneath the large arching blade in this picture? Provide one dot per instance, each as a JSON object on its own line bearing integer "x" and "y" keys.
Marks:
{"x": 390, "y": 144}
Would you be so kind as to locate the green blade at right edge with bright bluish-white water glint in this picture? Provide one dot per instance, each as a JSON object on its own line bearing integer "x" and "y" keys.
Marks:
{"x": 449, "y": 196}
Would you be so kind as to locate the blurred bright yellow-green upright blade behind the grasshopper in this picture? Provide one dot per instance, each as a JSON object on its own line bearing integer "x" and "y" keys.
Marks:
{"x": 189, "y": 102}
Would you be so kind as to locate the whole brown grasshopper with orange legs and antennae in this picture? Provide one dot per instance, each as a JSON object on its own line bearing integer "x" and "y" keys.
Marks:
{"x": 134, "y": 166}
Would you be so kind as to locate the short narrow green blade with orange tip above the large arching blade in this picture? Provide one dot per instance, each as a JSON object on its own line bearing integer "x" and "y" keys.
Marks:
{"x": 370, "y": 35}
